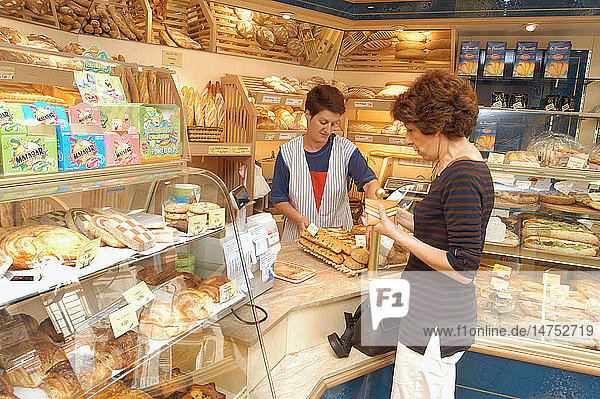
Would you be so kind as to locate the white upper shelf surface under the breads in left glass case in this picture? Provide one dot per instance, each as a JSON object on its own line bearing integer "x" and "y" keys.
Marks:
{"x": 56, "y": 275}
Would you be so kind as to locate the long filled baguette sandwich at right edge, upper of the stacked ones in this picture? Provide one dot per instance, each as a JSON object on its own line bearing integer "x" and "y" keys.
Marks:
{"x": 562, "y": 230}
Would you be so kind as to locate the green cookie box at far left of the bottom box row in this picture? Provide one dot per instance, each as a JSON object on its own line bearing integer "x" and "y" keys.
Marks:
{"x": 34, "y": 151}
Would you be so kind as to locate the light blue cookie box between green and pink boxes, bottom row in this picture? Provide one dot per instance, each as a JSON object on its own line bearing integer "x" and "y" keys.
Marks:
{"x": 81, "y": 149}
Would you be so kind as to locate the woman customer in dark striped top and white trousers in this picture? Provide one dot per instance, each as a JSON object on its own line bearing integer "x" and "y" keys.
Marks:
{"x": 449, "y": 224}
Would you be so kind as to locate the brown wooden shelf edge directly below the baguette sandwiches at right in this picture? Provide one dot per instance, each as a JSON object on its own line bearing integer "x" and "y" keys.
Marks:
{"x": 550, "y": 257}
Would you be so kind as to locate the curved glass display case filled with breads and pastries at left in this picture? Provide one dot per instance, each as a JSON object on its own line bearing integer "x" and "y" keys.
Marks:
{"x": 116, "y": 283}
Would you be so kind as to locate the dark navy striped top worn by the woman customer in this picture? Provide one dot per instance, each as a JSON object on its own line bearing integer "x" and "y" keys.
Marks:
{"x": 452, "y": 217}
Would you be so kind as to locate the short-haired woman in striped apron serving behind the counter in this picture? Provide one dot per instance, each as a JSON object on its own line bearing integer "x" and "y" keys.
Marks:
{"x": 312, "y": 172}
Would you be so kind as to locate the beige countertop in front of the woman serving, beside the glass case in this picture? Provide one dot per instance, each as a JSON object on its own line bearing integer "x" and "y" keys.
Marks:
{"x": 327, "y": 286}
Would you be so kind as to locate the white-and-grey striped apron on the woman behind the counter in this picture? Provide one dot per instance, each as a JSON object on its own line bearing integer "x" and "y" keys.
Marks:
{"x": 335, "y": 207}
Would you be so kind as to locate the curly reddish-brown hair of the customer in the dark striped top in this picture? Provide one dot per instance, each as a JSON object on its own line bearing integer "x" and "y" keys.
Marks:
{"x": 439, "y": 101}
